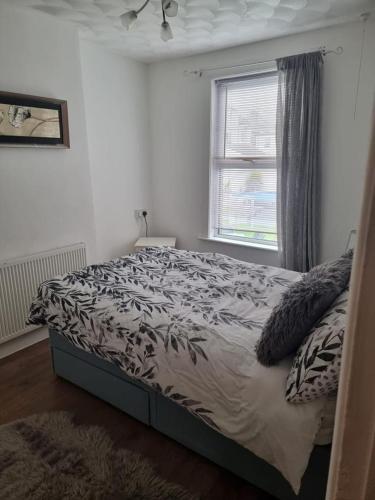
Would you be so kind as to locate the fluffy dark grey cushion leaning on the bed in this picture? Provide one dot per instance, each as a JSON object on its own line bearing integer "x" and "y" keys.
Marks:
{"x": 300, "y": 307}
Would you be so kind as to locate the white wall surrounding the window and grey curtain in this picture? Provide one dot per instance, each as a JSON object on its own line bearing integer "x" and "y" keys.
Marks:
{"x": 180, "y": 128}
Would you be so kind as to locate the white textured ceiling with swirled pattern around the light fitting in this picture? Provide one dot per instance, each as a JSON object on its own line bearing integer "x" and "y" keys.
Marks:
{"x": 200, "y": 26}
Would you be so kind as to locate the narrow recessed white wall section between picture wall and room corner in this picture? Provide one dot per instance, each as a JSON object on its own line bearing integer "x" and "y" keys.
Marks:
{"x": 117, "y": 113}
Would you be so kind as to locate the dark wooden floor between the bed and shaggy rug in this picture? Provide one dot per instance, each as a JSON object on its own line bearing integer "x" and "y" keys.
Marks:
{"x": 28, "y": 386}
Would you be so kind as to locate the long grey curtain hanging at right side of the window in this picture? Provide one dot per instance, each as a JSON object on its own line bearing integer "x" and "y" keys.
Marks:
{"x": 298, "y": 159}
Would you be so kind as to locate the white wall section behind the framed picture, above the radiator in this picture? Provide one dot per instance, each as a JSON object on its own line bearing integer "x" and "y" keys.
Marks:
{"x": 45, "y": 194}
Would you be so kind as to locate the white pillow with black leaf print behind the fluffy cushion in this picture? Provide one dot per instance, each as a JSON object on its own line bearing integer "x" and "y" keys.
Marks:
{"x": 316, "y": 366}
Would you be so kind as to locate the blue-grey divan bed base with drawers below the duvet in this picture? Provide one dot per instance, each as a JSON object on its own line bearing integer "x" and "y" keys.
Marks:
{"x": 108, "y": 382}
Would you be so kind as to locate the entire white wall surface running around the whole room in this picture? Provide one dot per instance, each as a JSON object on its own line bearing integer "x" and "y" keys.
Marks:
{"x": 46, "y": 195}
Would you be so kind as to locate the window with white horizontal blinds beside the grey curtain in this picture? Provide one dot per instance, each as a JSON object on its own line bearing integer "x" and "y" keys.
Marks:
{"x": 243, "y": 176}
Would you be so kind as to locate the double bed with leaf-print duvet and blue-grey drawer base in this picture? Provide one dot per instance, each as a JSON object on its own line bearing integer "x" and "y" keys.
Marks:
{"x": 169, "y": 337}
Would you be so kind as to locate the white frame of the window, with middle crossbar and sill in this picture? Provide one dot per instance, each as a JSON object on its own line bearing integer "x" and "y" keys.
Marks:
{"x": 212, "y": 205}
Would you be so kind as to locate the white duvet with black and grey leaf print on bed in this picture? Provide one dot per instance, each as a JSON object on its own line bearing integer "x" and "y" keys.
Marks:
{"x": 186, "y": 323}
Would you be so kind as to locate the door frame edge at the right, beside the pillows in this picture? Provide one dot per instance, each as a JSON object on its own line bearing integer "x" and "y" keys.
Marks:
{"x": 352, "y": 467}
